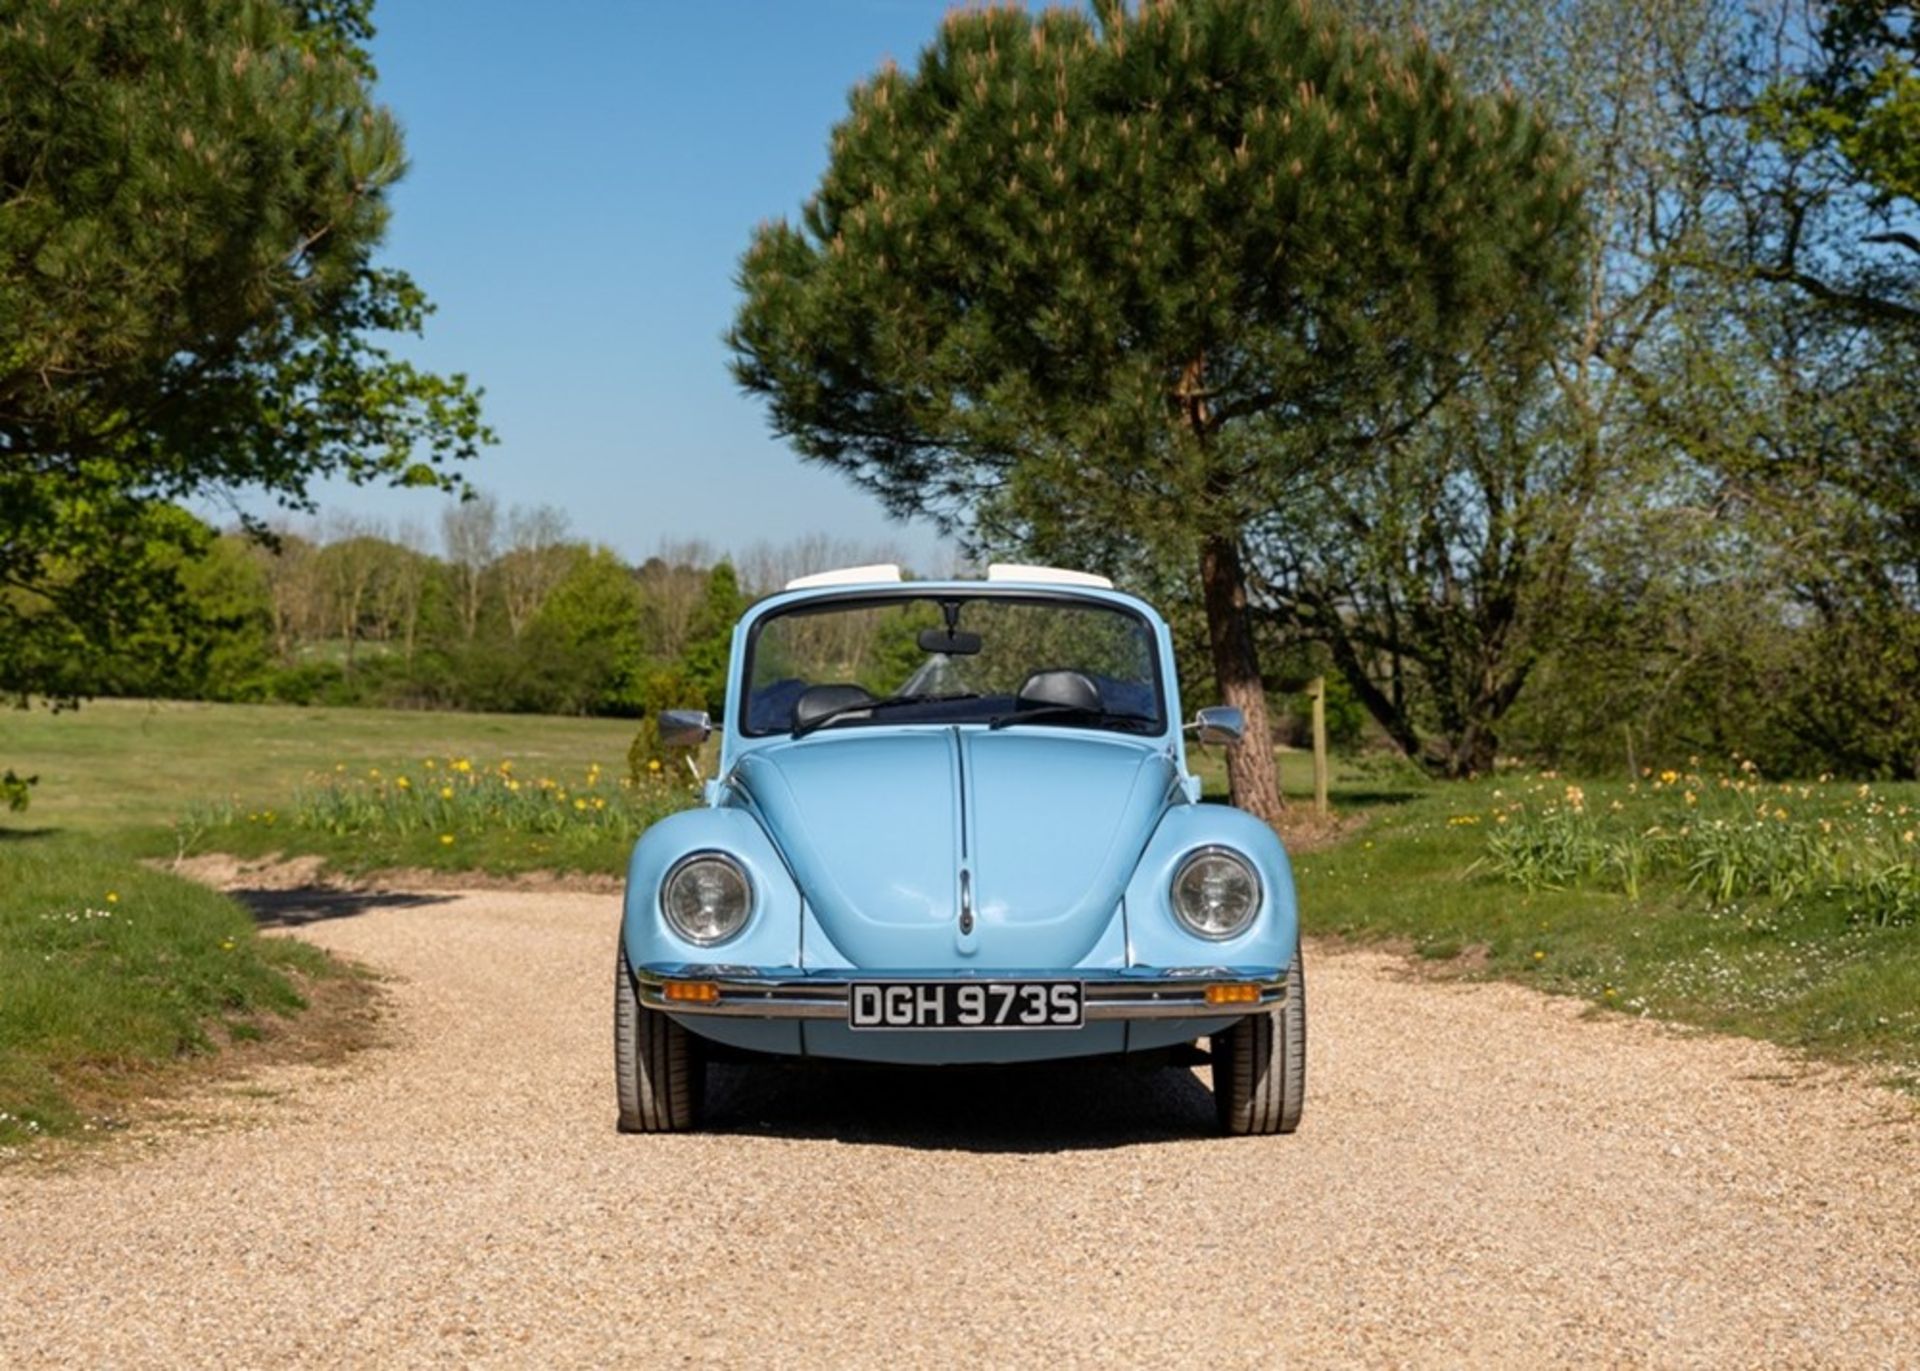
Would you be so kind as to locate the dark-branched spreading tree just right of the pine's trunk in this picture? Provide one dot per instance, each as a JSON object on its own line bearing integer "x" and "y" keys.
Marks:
{"x": 1437, "y": 575}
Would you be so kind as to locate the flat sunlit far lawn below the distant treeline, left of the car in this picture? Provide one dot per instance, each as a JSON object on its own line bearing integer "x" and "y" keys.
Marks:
{"x": 116, "y": 765}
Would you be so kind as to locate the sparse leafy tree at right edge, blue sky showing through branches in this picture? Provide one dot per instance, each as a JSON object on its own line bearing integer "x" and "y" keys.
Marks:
{"x": 1790, "y": 385}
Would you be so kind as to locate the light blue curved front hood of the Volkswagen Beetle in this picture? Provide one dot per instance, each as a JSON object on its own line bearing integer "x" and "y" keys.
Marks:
{"x": 882, "y": 832}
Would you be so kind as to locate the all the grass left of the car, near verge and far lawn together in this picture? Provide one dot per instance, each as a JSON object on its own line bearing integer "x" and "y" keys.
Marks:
{"x": 101, "y": 1007}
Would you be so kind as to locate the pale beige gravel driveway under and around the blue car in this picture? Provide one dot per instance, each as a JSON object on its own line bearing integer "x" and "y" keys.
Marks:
{"x": 1481, "y": 1178}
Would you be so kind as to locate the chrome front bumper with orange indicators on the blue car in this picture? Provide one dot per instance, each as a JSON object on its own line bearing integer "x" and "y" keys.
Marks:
{"x": 1143, "y": 994}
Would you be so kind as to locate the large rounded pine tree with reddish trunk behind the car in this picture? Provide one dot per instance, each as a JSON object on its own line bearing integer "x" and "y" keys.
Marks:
{"x": 1116, "y": 283}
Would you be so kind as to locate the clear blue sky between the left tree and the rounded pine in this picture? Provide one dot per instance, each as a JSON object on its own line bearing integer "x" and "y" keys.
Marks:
{"x": 585, "y": 176}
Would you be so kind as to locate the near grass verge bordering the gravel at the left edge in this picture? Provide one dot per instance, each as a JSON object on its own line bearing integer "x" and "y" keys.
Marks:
{"x": 112, "y": 974}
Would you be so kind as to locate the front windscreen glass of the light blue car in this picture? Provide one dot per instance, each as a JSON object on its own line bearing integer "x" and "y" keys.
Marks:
{"x": 953, "y": 660}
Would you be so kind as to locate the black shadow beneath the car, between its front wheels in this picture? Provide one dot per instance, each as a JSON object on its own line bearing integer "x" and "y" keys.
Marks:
{"x": 1053, "y": 1107}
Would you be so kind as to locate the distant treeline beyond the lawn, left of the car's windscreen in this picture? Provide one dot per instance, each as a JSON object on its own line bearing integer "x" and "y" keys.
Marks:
{"x": 504, "y": 612}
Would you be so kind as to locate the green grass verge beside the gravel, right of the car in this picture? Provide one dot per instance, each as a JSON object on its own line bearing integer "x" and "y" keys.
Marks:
{"x": 1808, "y": 971}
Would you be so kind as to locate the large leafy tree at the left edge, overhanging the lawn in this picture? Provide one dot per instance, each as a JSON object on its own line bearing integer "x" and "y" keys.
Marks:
{"x": 189, "y": 301}
